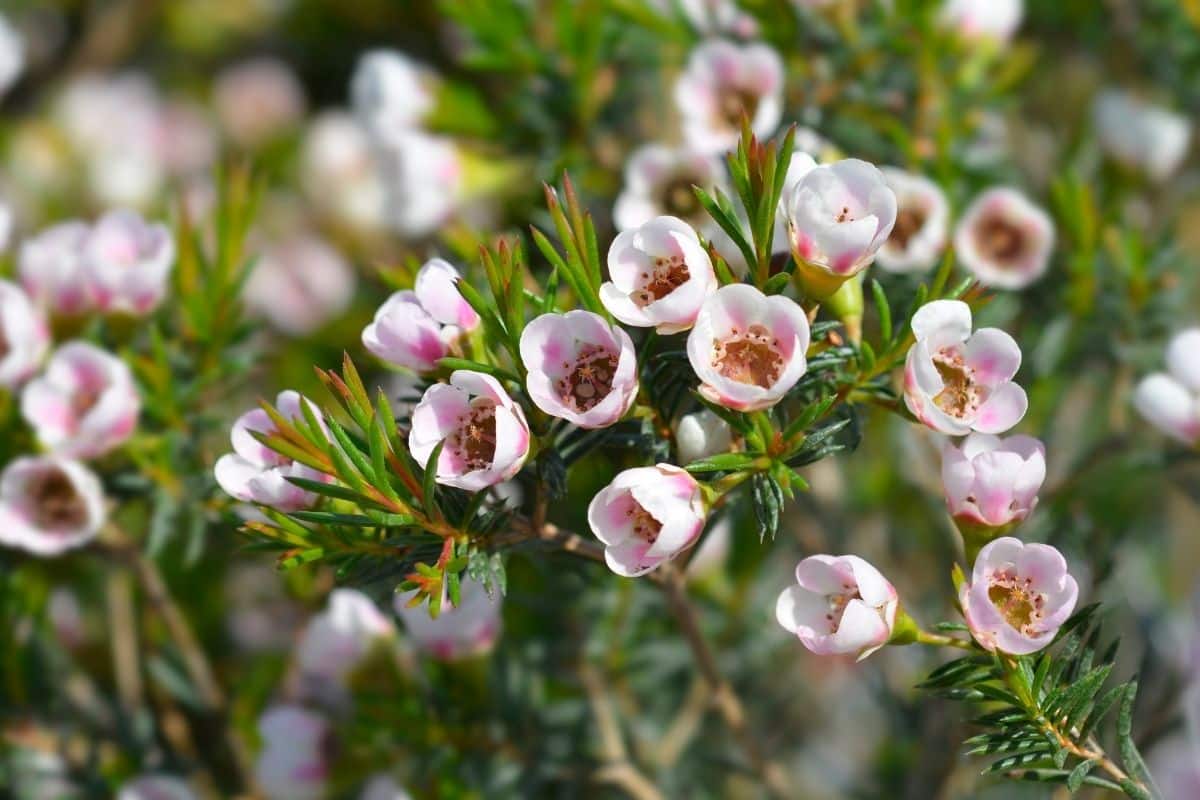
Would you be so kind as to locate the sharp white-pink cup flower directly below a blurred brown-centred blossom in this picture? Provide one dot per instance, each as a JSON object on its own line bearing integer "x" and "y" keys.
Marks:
{"x": 661, "y": 276}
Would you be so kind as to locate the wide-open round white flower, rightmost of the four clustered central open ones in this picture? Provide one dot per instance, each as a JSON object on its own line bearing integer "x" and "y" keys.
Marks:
{"x": 747, "y": 348}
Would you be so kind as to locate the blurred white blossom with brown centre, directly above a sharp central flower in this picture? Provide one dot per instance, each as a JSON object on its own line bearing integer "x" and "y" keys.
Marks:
{"x": 659, "y": 182}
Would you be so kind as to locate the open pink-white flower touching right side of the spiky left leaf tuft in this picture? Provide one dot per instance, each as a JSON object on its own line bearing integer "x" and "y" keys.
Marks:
{"x": 487, "y": 435}
